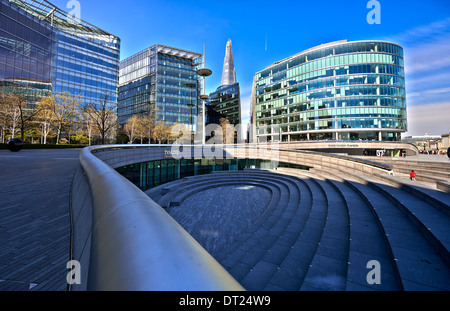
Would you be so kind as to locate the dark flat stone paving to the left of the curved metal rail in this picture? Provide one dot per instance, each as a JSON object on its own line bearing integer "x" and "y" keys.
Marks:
{"x": 34, "y": 218}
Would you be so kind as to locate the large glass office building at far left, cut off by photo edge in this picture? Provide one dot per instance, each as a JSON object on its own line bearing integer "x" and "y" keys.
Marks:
{"x": 43, "y": 48}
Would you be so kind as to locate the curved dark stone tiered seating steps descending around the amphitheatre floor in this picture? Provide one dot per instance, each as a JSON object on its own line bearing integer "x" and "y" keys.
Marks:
{"x": 319, "y": 230}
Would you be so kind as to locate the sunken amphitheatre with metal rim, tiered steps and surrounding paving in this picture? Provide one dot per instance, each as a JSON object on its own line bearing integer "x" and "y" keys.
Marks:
{"x": 226, "y": 218}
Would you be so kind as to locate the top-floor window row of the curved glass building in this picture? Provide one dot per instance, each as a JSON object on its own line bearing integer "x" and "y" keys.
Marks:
{"x": 352, "y": 47}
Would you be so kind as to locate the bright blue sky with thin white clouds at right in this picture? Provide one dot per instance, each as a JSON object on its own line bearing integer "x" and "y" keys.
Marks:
{"x": 264, "y": 32}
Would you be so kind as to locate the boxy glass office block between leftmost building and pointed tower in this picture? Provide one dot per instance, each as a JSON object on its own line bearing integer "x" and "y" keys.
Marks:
{"x": 160, "y": 80}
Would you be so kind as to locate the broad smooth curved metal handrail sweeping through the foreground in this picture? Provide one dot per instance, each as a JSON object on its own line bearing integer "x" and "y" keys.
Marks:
{"x": 137, "y": 246}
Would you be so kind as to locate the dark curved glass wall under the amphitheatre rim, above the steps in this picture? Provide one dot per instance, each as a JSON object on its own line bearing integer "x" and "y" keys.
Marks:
{"x": 151, "y": 174}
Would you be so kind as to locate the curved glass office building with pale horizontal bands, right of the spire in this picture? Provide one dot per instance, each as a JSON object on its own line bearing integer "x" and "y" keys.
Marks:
{"x": 337, "y": 91}
